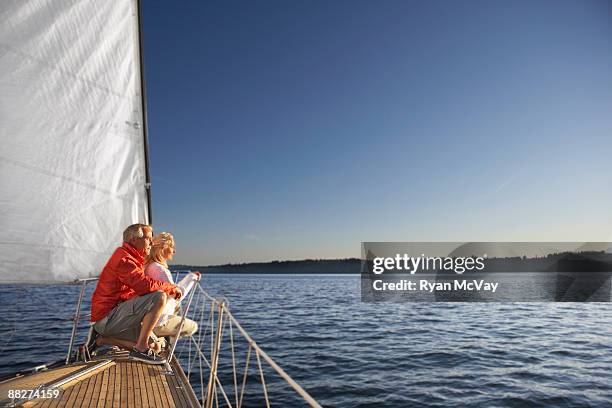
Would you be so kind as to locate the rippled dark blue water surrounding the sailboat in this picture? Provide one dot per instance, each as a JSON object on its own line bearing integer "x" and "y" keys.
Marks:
{"x": 352, "y": 354}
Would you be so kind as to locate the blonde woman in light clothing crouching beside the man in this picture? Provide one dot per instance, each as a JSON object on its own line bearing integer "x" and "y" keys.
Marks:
{"x": 156, "y": 267}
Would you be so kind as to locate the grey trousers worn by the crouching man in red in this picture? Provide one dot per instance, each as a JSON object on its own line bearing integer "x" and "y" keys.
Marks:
{"x": 125, "y": 320}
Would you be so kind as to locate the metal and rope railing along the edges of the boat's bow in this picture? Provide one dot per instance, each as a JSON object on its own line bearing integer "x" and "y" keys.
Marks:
{"x": 221, "y": 357}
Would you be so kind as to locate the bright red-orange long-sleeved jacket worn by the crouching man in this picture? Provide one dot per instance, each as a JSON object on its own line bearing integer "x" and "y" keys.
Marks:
{"x": 122, "y": 279}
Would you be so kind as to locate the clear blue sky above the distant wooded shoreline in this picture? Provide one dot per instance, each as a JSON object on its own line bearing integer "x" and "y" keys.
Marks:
{"x": 297, "y": 129}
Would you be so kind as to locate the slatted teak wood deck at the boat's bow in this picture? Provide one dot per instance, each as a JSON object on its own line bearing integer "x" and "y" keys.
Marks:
{"x": 124, "y": 383}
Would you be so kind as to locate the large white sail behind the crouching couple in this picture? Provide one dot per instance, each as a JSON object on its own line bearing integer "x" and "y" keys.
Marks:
{"x": 72, "y": 162}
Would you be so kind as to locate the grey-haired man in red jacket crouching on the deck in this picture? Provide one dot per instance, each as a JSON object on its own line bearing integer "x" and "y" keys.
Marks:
{"x": 126, "y": 304}
